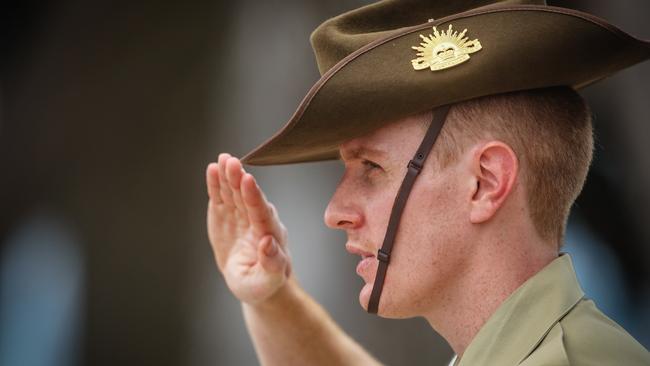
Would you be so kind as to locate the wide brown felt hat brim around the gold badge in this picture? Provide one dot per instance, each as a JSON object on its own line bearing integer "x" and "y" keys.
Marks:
{"x": 523, "y": 47}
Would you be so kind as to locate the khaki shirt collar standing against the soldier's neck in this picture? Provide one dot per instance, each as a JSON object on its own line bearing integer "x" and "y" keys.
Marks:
{"x": 522, "y": 321}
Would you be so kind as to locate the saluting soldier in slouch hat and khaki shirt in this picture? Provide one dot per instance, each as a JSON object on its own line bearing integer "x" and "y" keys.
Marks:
{"x": 476, "y": 249}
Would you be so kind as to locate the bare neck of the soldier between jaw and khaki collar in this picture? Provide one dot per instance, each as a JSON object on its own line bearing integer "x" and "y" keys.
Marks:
{"x": 497, "y": 269}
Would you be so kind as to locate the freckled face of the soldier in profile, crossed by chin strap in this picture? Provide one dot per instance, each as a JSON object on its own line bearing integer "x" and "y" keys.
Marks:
{"x": 430, "y": 249}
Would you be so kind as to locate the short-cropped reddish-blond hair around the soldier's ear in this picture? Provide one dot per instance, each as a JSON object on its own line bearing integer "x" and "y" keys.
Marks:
{"x": 550, "y": 131}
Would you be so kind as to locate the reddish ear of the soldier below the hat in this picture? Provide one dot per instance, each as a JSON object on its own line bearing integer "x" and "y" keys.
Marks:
{"x": 495, "y": 168}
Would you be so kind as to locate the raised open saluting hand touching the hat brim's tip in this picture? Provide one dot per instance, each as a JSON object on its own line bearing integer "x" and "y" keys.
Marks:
{"x": 247, "y": 237}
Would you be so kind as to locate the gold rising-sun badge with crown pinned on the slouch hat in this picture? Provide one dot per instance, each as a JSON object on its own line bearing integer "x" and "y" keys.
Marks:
{"x": 443, "y": 50}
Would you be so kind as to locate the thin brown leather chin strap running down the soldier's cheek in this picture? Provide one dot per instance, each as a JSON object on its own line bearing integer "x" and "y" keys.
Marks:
{"x": 414, "y": 167}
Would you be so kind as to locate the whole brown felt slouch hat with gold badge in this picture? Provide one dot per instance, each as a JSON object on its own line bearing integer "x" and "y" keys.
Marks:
{"x": 395, "y": 58}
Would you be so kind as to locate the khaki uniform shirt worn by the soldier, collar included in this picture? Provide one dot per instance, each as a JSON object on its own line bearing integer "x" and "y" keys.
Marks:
{"x": 548, "y": 321}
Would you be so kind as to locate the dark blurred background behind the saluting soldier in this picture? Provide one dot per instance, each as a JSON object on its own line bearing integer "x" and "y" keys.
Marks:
{"x": 109, "y": 113}
